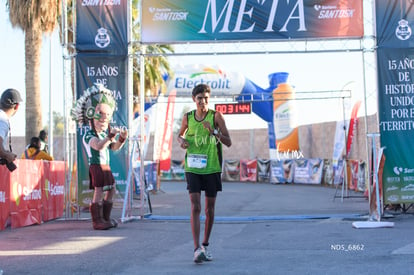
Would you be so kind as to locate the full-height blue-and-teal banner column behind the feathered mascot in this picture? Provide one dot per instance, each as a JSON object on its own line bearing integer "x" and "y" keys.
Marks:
{"x": 102, "y": 48}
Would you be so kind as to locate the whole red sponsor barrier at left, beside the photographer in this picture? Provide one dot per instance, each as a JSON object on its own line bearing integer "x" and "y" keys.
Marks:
{"x": 33, "y": 193}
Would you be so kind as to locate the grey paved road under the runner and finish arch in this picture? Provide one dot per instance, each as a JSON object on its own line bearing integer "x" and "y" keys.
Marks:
{"x": 260, "y": 229}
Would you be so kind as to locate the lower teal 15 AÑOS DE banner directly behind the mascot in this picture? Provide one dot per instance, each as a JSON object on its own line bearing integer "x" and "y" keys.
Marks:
{"x": 111, "y": 71}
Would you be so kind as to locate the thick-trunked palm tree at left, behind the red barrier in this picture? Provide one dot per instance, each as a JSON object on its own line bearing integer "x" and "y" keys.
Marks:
{"x": 34, "y": 17}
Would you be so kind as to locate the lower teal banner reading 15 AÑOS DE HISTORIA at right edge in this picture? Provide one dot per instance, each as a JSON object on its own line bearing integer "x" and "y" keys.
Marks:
{"x": 396, "y": 122}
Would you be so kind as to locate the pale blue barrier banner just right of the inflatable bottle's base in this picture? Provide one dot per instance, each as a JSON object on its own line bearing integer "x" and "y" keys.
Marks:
{"x": 308, "y": 171}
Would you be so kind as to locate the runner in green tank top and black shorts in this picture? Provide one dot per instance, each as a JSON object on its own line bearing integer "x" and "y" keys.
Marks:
{"x": 202, "y": 133}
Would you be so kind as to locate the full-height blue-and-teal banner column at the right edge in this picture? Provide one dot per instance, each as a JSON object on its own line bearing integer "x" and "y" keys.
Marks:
{"x": 395, "y": 57}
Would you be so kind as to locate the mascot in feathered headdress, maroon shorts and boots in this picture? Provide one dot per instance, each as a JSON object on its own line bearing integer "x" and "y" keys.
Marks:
{"x": 95, "y": 108}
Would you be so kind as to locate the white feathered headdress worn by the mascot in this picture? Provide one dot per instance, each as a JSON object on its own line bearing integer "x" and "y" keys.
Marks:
{"x": 84, "y": 109}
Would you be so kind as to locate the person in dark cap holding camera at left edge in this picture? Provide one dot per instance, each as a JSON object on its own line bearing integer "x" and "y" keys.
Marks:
{"x": 9, "y": 104}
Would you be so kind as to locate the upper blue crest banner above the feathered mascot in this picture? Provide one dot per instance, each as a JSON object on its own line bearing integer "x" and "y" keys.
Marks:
{"x": 101, "y": 26}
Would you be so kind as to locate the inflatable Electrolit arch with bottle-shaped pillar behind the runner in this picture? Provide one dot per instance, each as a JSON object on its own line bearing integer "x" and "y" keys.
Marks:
{"x": 265, "y": 102}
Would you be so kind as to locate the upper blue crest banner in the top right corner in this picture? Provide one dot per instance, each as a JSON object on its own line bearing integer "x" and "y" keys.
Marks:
{"x": 394, "y": 23}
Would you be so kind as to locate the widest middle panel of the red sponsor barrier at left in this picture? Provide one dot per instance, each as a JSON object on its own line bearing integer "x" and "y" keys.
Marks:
{"x": 26, "y": 193}
